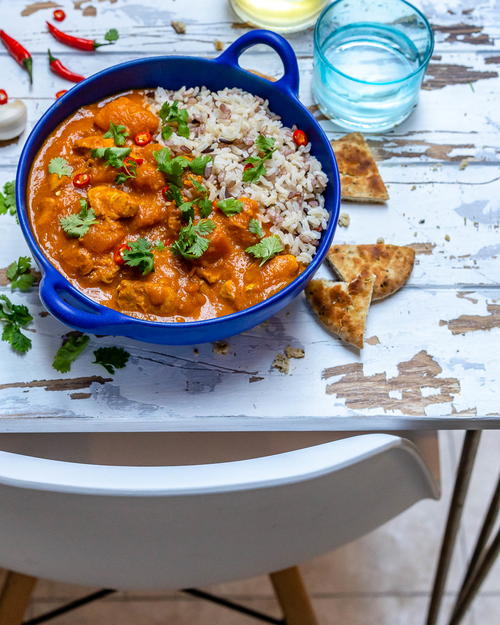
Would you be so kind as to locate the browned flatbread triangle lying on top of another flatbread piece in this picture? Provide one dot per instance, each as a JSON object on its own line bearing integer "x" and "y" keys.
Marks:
{"x": 341, "y": 307}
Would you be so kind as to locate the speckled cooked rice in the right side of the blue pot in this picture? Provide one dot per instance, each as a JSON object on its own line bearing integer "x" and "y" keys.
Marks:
{"x": 225, "y": 124}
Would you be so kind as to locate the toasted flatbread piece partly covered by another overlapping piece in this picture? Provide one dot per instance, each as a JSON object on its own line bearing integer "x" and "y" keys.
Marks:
{"x": 391, "y": 265}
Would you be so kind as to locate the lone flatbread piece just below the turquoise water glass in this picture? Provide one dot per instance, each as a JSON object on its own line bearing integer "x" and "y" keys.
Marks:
{"x": 360, "y": 180}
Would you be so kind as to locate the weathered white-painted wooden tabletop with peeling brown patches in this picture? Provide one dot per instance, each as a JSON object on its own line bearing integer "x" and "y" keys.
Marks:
{"x": 432, "y": 358}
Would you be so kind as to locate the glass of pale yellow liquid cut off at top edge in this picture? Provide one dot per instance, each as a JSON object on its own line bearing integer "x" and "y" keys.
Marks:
{"x": 284, "y": 16}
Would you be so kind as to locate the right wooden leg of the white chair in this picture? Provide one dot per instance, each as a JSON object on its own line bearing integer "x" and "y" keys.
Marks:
{"x": 293, "y": 597}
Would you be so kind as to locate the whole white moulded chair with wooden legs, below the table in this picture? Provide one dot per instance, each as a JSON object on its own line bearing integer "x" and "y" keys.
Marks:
{"x": 87, "y": 509}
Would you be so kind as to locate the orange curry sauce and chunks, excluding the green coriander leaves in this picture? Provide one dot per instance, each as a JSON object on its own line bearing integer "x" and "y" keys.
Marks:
{"x": 223, "y": 280}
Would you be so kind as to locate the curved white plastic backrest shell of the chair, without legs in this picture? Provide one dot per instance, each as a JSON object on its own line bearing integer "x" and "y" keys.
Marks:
{"x": 170, "y": 527}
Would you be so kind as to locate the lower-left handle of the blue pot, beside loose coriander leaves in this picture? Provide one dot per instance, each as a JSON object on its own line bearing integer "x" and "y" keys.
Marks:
{"x": 84, "y": 315}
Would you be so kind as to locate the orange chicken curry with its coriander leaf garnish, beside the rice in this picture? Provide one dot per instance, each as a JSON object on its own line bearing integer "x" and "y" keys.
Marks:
{"x": 131, "y": 223}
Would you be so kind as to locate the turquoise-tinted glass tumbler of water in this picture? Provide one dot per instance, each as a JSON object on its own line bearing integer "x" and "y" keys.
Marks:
{"x": 369, "y": 61}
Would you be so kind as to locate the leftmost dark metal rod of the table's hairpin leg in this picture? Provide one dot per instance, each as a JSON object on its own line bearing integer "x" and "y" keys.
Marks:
{"x": 469, "y": 450}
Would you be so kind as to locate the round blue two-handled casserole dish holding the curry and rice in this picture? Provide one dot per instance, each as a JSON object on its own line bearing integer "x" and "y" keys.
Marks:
{"x": 76, "y": 310}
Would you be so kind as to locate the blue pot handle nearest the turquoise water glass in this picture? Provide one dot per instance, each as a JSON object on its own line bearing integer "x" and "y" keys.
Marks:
{"x": 290, "y": 80}
